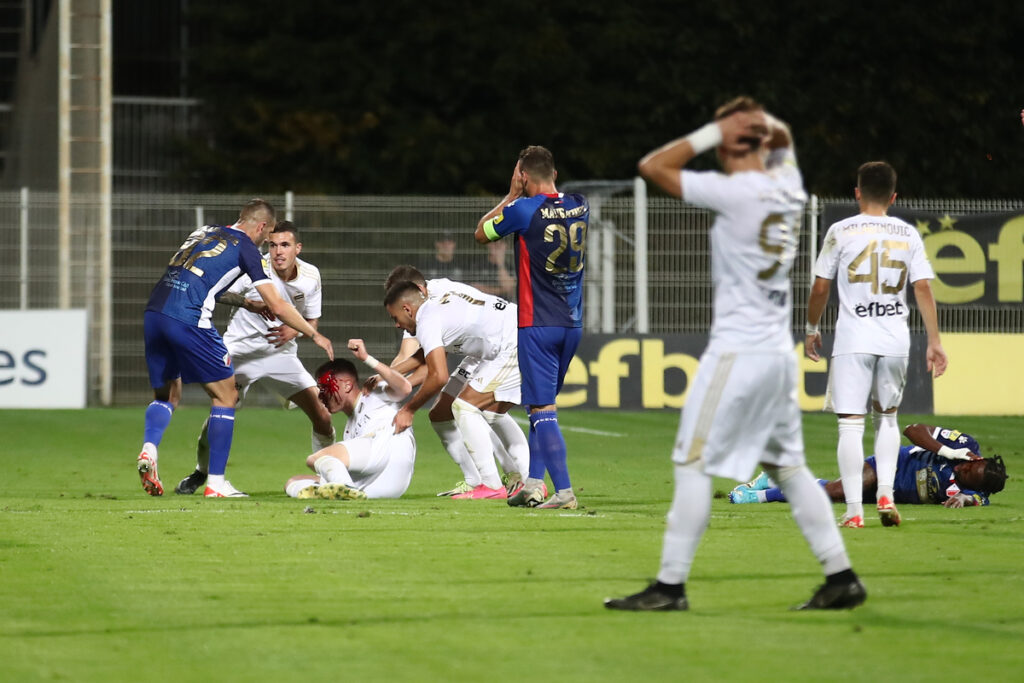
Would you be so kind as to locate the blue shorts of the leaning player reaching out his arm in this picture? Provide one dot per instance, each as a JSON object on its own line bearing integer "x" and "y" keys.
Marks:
{"x": 175, "y": 350}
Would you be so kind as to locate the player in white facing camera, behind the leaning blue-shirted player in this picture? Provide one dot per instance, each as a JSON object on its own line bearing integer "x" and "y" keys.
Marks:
{"x": 265, "y": 351}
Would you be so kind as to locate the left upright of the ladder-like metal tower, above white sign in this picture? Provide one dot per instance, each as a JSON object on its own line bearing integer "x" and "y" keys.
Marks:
{"x": 64, "y": 157}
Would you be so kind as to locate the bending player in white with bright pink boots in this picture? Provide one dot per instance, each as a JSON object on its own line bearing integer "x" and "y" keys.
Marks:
{"x": 483, "y": 328}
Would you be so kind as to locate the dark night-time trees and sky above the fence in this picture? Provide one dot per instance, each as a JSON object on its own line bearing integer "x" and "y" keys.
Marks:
{"x": 403, "y": 98}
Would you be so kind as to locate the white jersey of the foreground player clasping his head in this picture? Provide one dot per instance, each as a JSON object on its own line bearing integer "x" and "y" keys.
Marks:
{"x": 753, "y": 245}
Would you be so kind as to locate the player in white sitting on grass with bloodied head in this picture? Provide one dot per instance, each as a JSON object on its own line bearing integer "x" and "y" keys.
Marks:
{"x": 371, "y": 461}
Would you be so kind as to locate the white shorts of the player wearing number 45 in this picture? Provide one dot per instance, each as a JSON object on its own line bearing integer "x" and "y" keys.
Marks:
{"x": 857, "y": 379}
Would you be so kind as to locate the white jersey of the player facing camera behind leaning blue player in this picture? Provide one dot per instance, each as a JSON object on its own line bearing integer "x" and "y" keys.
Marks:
{"x": 245, "y": 334}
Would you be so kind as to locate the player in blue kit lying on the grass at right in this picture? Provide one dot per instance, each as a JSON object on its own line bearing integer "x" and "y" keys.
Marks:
{"x": 943, "y": 467}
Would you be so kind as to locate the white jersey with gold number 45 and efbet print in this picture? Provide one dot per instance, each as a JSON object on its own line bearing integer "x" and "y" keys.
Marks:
{"x": 872, "y": 260}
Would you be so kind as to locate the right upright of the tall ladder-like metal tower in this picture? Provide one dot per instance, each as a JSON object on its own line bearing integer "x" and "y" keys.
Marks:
{"x": 106, "y": 211}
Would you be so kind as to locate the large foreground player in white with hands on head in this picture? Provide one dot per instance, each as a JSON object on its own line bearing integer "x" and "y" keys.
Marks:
{"x": 743, "y": 407}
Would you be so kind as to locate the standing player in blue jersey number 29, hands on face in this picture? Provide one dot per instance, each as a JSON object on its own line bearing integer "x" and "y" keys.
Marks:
{"x": 550, "y": 231}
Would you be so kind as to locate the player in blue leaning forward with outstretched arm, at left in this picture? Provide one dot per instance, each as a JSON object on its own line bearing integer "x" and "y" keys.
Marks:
{"x": 183, "y": 346}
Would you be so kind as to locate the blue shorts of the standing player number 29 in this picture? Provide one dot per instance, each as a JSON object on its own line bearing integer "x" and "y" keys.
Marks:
{"x": 545, "y": 355}
